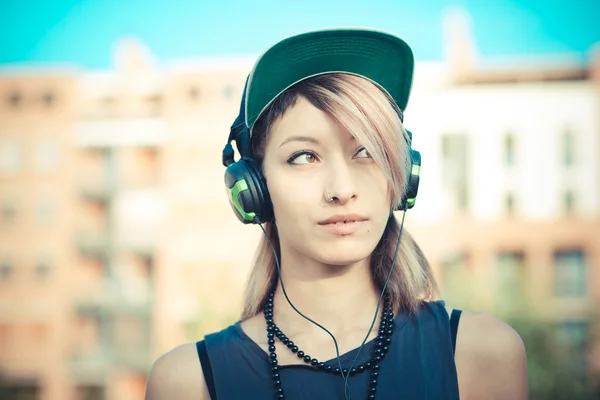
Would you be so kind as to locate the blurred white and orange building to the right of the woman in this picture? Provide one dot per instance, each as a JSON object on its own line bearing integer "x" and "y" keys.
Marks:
{"x": 511, "y": 174}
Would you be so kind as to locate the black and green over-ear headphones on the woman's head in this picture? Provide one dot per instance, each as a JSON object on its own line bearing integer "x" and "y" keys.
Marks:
{"x": 247, "y": 187}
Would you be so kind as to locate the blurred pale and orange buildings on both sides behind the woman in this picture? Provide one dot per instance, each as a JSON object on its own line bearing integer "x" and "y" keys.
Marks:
{"x": 117, "y": 242}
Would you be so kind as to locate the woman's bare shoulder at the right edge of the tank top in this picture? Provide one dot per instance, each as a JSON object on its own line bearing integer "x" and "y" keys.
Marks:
{"x": 490, "y": 358}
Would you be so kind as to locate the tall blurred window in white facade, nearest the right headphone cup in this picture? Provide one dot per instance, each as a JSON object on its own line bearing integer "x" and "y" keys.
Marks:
{"x": 455, "y": 170}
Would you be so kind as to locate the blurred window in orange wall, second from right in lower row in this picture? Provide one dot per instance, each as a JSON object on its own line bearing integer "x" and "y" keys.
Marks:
{"x": 511, "y": 274}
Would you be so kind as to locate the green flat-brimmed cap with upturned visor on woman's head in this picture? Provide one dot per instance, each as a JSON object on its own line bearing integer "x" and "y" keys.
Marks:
{"x": 382, "y": 57}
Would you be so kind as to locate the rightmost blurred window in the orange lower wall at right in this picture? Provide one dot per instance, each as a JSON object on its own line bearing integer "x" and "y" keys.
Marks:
{"x": 569, "y": 274}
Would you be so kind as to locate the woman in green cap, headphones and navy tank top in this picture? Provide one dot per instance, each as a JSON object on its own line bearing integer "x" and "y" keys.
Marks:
{"x": 325, "y": 163}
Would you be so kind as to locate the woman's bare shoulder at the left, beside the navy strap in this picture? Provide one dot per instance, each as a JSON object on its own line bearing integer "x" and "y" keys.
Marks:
{"x": 177, "y": 375}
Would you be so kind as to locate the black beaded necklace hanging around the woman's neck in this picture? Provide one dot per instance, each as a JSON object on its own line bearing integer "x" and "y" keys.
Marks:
{"x": 383, "y": 341}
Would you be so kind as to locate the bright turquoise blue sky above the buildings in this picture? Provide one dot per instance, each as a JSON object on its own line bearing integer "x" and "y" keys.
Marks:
{"x": 84, "y": 32}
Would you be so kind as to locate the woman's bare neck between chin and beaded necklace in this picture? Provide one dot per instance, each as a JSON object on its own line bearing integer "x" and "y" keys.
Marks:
{"x": 342, "y": 298}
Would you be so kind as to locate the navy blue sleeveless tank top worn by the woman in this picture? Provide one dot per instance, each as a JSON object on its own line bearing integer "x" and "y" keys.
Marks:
{"x": 419, "y": 364}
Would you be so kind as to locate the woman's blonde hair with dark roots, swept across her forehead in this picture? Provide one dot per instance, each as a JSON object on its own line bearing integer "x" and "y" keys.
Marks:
{"x": 373, "y": 118}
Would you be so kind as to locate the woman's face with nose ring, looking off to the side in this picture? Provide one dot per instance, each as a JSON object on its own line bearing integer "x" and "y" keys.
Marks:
{"x": 309, "y": 157}
